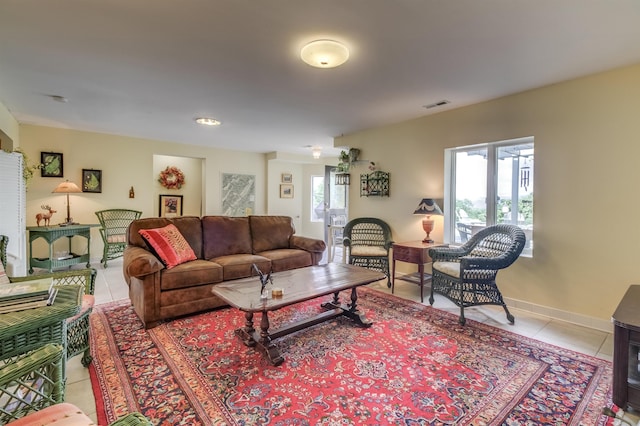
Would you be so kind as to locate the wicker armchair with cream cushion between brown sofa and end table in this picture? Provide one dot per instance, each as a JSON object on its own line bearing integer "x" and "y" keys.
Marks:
{"x": 367, "y": 242}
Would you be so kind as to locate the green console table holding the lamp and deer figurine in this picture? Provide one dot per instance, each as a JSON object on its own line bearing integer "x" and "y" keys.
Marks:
{"x": 53, "y": 233}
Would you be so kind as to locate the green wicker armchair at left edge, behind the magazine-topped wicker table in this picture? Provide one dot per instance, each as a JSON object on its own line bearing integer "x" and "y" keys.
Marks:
{"x": 78, "y": 325}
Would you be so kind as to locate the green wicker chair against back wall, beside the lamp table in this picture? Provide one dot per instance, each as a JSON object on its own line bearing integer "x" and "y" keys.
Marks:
{"x": 114, "y": 224}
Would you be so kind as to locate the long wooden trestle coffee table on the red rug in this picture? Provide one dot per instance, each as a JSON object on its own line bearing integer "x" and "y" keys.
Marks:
{"x": 298, "y": 286}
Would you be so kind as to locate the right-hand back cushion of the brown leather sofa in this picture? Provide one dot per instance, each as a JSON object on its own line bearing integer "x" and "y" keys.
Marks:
{"x": 270, "y": 232}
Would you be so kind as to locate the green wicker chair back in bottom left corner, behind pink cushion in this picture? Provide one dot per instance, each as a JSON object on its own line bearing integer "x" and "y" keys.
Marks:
{"x": 30, "y": 382}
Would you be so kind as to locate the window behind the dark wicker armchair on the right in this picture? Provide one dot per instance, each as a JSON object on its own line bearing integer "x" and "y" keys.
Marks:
{"x": 488, "y": 184}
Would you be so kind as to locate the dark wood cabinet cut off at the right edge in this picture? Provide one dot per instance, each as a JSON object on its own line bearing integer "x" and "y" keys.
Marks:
{"x": 626, "y": 348}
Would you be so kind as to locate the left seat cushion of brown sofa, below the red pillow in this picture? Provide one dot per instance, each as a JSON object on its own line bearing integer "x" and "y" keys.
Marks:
{"x": 190, "y": 274}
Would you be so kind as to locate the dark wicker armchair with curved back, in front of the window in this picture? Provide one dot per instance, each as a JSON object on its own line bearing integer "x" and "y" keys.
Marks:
{"x": 466, "y": 275}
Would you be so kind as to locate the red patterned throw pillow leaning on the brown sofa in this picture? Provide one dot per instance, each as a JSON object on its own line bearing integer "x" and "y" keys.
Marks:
{"x": 169, "y": 245}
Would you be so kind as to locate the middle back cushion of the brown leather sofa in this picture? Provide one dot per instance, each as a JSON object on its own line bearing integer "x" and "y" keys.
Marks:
{"x": 223, "y": 236}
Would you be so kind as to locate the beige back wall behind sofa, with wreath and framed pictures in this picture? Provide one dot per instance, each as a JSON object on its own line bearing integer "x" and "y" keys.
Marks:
{"x": 127, "y": 162}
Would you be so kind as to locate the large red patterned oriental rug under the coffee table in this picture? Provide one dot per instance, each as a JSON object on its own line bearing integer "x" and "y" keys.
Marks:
{"x": 414, "y": 366}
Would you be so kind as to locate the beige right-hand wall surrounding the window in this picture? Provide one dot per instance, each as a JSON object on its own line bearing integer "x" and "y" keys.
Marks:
{"x": 587, "y": 143}
